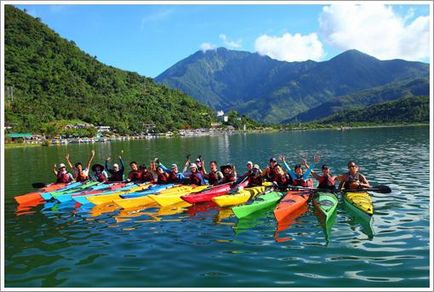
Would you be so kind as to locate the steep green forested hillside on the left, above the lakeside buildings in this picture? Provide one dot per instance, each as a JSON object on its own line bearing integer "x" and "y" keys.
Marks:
{"x": 52, "y": 79}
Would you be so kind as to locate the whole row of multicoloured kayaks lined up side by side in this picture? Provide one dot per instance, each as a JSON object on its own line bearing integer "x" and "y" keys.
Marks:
{"x": 243, "y": 201}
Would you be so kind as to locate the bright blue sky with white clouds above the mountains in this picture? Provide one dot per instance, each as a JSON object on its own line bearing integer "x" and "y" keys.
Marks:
{"x": 148, "y": 39}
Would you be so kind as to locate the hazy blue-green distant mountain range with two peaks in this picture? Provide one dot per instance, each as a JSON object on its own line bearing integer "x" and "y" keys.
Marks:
{"x": 275, "y": 91}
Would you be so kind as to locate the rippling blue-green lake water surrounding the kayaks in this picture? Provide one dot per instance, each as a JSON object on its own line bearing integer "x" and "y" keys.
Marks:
{"x": 68, "y": 246}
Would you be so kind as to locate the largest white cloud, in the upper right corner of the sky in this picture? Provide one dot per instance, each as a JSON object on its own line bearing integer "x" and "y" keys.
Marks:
{"x": 376, "y": 30}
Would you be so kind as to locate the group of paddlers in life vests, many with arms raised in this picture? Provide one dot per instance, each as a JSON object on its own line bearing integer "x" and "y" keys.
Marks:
{"x": 196, "y": 173}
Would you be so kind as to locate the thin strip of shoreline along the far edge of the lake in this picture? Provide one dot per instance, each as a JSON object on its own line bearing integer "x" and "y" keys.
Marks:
{"x": 218, "y": 133}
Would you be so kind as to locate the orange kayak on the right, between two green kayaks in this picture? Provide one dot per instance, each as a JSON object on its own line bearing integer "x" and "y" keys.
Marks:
{"x": 292, "y": 201}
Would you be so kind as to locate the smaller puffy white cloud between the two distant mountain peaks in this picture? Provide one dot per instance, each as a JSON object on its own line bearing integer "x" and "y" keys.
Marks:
{"x": 290, "y": 47}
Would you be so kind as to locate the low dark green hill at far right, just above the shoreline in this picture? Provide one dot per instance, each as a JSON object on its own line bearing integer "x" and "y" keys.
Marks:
{"x": 404, "y": 110}
